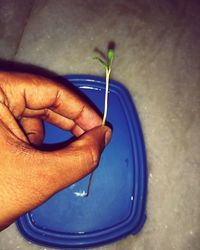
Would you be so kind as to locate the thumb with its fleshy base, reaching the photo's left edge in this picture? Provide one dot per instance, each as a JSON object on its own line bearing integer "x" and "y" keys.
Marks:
{"x": 29, "y": 177}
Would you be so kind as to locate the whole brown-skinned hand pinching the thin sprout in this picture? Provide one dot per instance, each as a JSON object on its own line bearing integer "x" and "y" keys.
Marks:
{"x": 28, "y": 177}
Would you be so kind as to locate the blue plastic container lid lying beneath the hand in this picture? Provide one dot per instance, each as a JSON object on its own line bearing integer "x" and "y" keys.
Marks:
{"x": 116, "y": 204}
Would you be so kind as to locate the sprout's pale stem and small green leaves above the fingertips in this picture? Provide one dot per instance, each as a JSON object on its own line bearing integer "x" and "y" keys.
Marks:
{"x": 107, "y": 65}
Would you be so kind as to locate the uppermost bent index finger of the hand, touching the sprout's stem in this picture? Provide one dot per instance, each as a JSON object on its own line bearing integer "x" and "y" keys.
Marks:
{"x": 35, "y": 93}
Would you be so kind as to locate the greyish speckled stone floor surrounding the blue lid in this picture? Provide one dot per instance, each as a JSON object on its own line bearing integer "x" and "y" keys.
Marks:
{"x": 158, "y": 59}
